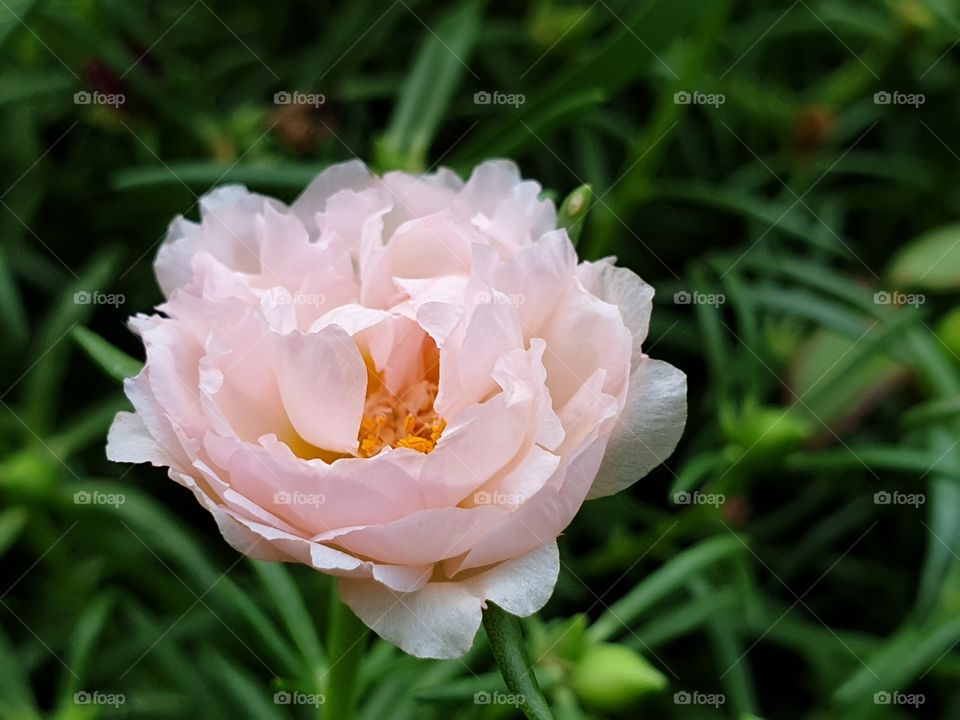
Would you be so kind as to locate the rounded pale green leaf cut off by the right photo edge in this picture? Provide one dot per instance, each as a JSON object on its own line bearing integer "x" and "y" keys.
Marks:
{"x": 930, "y": 262}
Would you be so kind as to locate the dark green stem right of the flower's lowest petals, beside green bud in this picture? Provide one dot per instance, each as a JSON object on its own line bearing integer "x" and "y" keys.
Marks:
{"x": 506, "y": 640}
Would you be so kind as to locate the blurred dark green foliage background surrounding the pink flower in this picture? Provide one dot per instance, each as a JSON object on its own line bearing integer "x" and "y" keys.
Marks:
{"x": 785, "y": 174}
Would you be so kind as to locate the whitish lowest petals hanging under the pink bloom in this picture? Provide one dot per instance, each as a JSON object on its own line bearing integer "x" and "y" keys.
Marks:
{"x": 441, "y": 619}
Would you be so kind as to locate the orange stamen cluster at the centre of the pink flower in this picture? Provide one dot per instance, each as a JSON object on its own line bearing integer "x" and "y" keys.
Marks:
{"x": 406, "y": 419}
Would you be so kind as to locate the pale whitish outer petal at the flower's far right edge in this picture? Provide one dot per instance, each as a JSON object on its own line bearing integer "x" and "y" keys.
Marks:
{"x": 648, "y": 429}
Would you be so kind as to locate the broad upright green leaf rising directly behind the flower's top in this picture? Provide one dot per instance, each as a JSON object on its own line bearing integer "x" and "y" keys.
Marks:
{"x": 429, "y": 88}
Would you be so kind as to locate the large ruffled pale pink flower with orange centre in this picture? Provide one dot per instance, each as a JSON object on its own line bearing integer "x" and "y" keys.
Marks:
{"x": 406, "y": 382}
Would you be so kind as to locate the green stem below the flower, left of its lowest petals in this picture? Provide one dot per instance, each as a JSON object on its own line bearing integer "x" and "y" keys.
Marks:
{"x": 347, "y": 642}
